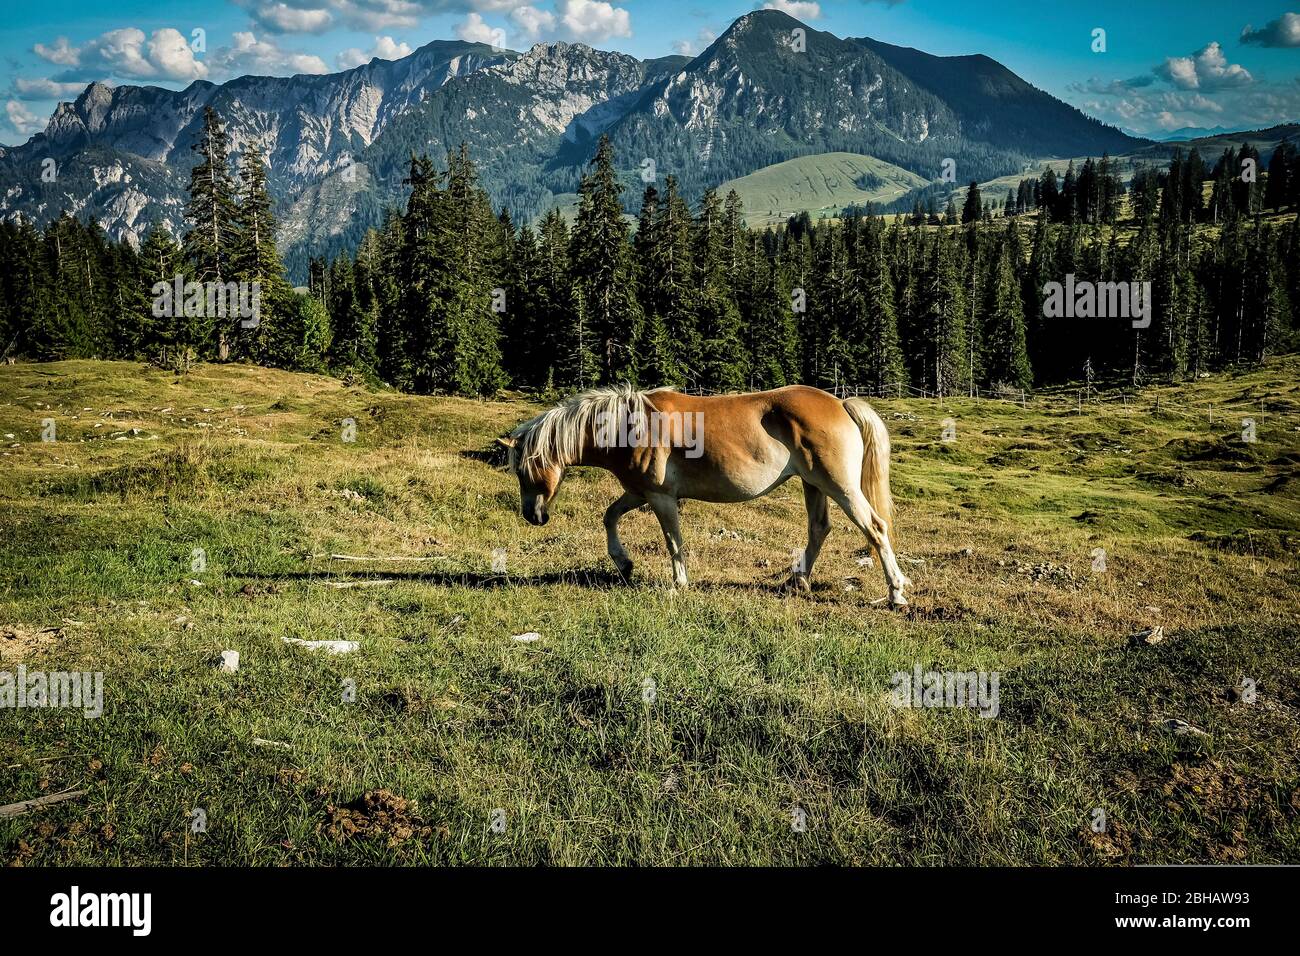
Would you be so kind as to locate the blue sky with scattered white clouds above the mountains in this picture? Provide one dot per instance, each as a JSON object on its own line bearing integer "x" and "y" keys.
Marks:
{"x": 1165, "y": 64}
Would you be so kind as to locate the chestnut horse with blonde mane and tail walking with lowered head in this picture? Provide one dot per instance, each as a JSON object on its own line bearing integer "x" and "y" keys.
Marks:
{"x": 665, "y": 447}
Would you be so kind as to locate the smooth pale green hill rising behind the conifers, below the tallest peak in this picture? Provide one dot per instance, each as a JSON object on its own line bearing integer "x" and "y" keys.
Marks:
{"x": 821, "y": 184}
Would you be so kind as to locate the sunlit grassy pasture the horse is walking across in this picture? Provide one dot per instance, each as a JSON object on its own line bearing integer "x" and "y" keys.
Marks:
{"x": 644, "y": 726}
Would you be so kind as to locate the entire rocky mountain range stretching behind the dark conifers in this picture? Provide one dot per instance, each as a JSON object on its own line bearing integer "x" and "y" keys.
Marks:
{"x": 769, "y": 90}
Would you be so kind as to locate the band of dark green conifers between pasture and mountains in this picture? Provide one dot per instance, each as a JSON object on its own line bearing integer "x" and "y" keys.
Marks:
{"x": 450, "y": 296}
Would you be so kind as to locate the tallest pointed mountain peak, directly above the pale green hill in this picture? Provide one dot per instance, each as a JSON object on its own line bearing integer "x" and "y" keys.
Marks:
{"x": 772, "y": 89}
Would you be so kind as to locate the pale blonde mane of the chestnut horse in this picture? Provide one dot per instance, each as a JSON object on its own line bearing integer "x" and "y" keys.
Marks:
{"x": 560, "y": 435}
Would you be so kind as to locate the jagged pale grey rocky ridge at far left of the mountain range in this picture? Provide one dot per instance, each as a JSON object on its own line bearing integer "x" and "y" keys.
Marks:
{"x": 123, "y": 154}
